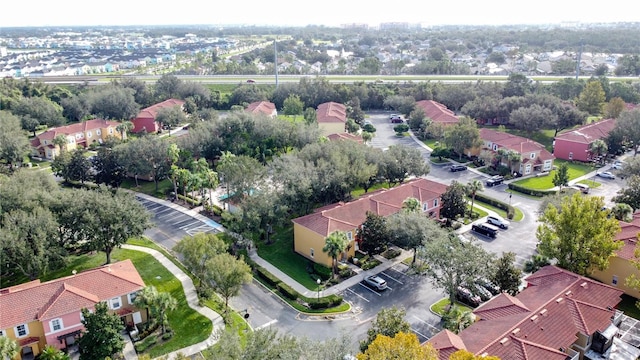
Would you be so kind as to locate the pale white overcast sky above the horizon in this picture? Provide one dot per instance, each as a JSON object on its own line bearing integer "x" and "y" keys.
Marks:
{"x": 301, "y": 13}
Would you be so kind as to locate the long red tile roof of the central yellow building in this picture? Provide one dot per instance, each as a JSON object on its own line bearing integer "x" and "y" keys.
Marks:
{"x": 348, "y": 216}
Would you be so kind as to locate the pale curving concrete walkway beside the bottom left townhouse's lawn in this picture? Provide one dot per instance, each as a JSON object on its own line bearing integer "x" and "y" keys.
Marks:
{"x": 192, "y": 300}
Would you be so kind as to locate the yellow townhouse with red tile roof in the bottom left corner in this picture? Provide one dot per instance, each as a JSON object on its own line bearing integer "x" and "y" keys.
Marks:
{"x": 36, "y": 314}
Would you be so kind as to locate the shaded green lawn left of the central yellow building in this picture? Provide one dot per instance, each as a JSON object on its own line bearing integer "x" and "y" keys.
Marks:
{"x": 282, "y": 256}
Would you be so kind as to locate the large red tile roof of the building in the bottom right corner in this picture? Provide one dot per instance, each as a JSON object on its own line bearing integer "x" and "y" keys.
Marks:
{"x": 544, "y": 317}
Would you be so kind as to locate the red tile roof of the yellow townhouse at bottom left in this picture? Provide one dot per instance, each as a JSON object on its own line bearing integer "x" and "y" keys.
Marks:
{"x": 54, "y": 298}
